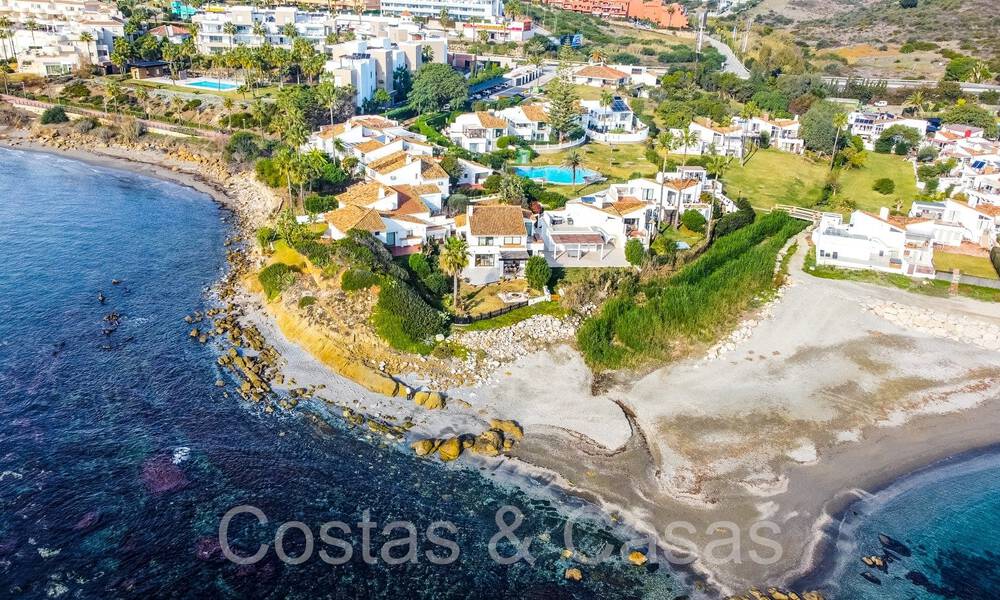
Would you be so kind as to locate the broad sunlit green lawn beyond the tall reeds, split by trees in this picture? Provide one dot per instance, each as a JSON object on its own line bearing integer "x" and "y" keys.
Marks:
{"x": 771, "y": 177}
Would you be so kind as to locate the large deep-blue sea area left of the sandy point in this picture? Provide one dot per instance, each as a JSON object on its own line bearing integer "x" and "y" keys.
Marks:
{"x": 121, "y": 459}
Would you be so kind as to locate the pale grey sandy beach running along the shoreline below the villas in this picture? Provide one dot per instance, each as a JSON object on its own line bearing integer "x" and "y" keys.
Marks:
{"x": 821, "y": 399}
